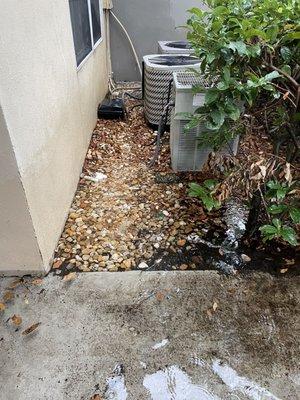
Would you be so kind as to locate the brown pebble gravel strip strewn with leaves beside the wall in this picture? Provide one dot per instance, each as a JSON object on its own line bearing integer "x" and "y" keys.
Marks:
{"x": 134, "y": 213}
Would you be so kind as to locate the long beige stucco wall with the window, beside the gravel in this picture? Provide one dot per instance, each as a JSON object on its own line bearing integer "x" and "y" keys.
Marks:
{"x": 49, "y": 108}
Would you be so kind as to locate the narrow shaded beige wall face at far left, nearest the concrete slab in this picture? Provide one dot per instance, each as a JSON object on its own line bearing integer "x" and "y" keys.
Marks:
{"x": 18, "y": 245}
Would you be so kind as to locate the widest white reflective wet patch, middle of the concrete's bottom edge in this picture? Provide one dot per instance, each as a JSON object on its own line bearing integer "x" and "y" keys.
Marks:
{"x": 174, "y": 384}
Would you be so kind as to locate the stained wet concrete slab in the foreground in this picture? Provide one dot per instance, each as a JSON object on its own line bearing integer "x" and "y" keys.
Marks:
{"x": 191, "y": 335}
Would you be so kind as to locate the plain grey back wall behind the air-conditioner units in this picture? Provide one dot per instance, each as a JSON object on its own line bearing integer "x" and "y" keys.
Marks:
{"x": 147, "y": 22}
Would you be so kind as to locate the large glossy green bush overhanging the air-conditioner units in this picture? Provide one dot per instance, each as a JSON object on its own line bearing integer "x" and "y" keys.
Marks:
{"x": 249, "y": 52}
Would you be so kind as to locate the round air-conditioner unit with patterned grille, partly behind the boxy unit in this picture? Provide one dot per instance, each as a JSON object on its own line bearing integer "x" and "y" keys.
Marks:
{"x": 158, "y": 72}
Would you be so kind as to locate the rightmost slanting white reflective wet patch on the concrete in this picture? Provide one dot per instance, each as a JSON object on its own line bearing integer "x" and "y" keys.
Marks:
{"x": 235, "y": 382}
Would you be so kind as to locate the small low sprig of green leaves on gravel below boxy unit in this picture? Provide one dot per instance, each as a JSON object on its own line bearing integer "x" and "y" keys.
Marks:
{"x": 205, "y": 193}
